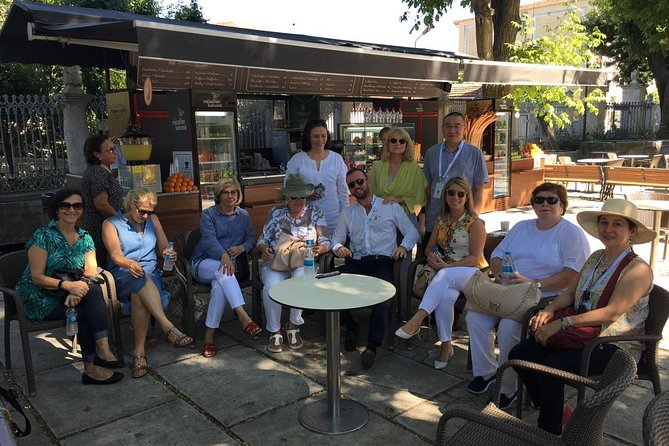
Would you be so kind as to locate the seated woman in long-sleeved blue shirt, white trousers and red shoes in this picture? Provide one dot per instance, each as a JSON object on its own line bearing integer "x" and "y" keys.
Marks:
{"x": 220, "y": 258}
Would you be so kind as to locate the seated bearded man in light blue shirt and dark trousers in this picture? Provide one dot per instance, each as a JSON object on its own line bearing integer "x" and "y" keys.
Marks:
{"x": 371, "y": 228}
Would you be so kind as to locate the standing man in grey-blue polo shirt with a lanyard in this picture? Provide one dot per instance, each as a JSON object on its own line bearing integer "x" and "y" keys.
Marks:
{"x": 452, "y": 158}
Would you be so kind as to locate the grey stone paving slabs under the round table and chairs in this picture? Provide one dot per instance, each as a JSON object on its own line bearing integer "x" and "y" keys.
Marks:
{"x": 247, "y": 396}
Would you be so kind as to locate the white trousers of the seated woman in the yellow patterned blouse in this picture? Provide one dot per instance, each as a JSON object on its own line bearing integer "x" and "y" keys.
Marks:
{"x": 441, "y": 294}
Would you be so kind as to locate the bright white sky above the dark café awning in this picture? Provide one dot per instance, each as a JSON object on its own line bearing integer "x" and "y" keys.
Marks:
{"x": 373, "y": 21}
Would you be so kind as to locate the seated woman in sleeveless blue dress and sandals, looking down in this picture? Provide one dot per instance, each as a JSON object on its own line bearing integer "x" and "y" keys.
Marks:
{"x": 132, "y": 239}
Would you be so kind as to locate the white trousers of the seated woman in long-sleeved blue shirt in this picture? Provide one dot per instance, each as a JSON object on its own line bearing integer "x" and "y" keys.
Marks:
{"x": 224, "y": 289}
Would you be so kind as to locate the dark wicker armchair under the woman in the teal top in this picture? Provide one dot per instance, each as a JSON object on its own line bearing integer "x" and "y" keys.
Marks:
{"x": 11, "y": 268}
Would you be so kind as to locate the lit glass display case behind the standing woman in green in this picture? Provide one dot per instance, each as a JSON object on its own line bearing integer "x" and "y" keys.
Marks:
{"x": 362, "y": 144}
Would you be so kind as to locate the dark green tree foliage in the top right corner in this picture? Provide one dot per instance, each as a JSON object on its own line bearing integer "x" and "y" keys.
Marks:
{"x": 637, "y": 40}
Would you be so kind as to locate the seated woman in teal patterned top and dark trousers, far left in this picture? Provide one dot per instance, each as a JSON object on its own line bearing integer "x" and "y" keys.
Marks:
{"x": 62, "y": 245}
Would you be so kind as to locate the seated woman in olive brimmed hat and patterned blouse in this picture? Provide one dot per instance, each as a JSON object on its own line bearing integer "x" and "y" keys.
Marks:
{"x": 297, "y": 219}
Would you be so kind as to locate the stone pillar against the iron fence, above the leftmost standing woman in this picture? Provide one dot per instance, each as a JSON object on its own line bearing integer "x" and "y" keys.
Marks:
{"x": 74, "y": 119}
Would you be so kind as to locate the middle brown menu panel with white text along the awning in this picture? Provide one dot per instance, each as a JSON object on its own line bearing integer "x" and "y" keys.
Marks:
{"x": 275, "y": 81}
